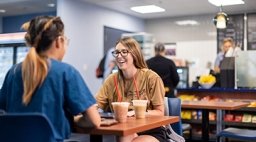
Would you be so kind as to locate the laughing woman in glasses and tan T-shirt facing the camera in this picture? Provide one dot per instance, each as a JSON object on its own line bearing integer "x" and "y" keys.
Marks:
{"x": 133, "y": 81}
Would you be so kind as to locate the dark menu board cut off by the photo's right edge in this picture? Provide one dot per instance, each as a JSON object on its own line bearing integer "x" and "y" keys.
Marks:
{"x": 251, "y": 31}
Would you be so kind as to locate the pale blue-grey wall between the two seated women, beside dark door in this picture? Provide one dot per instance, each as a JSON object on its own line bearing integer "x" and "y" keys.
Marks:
{"x": 84, "y": 26}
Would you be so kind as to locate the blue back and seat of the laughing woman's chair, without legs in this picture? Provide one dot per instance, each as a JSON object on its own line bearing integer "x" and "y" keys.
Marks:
{"x": 173, "y": 108}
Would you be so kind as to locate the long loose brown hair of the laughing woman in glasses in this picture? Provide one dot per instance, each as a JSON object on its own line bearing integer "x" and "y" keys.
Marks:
{"x": 135, "y": 50}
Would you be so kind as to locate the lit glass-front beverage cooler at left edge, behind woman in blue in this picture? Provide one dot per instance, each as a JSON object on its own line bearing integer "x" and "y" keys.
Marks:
{"x": 12, "y": 50}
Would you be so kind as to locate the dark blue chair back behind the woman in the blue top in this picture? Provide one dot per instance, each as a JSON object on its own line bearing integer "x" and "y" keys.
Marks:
{"x": 25, "y": 127}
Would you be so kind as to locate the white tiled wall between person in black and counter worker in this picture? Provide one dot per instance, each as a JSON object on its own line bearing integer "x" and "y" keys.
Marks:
{"x": 198, "y": 53}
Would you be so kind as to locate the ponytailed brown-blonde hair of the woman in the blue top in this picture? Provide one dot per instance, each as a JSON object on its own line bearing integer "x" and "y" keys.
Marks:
{"x": 41, "y": 32}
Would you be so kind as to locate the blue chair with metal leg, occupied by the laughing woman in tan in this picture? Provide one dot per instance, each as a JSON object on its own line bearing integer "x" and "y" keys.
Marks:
{"x": 174, "y": 108}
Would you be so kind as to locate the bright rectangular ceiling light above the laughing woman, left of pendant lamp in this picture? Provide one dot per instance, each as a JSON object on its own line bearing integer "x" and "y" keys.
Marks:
{"x": 147, "y": 9}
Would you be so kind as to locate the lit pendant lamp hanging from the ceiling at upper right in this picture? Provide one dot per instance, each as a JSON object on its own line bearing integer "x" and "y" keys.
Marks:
{"x": 221, "y": 20}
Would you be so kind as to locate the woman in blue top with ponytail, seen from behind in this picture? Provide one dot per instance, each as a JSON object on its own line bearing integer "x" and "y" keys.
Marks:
{"x": 43, "y": 84}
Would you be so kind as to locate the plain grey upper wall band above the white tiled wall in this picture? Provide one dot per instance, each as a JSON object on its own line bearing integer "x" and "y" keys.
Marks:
{"x": 166, "y": 30}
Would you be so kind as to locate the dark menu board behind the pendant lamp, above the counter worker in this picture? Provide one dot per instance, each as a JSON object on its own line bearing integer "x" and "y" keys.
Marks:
{"x": 234, "y": 30}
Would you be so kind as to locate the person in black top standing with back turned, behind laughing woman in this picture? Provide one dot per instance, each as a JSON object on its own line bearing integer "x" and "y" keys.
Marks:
{"x": 165, "y": 68}
